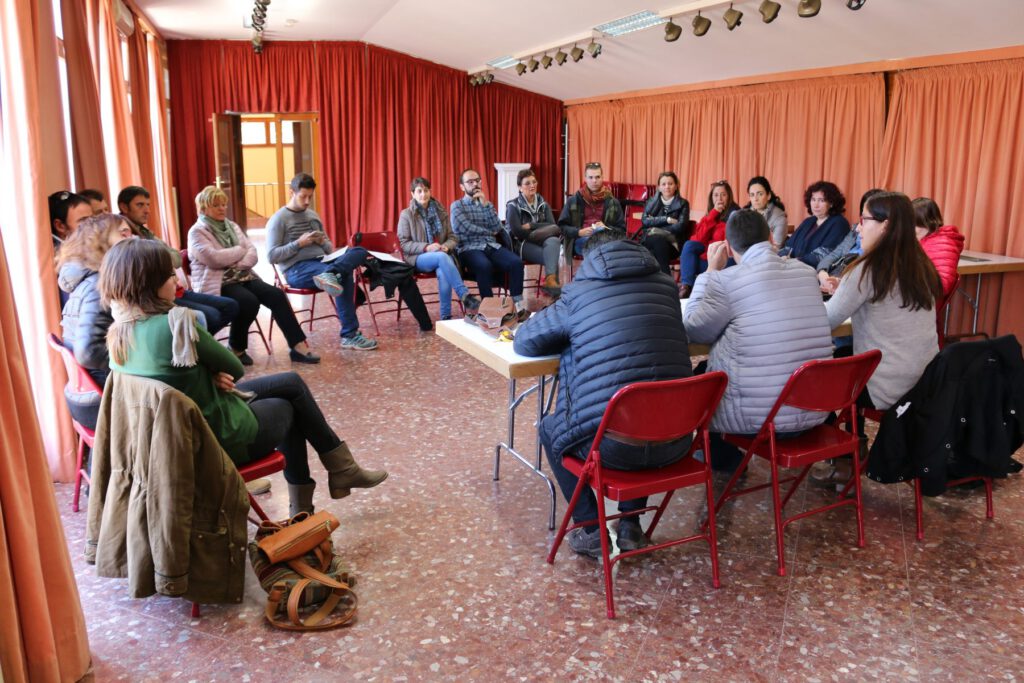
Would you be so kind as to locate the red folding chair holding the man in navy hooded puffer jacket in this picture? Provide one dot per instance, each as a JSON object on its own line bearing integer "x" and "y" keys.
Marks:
{"x": 653, "y": 412}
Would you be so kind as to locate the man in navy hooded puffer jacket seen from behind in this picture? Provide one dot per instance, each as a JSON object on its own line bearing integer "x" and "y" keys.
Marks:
{"x": 618, "y": 323}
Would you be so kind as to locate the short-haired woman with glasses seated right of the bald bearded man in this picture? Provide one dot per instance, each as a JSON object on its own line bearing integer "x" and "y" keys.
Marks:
{"x": 536, "y": 236}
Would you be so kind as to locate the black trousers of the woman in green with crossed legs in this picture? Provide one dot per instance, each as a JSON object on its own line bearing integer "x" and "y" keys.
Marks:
{"x": 288, "y": 418}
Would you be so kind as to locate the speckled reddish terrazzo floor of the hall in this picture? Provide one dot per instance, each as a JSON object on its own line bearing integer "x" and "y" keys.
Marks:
{"x": 454, "y": 586}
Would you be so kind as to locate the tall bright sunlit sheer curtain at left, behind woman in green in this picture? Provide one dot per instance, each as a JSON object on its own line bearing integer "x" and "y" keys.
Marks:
{"x": 31, "y": 167}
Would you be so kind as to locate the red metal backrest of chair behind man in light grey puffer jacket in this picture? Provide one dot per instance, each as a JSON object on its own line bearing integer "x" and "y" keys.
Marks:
{"x": 827, "y": 386}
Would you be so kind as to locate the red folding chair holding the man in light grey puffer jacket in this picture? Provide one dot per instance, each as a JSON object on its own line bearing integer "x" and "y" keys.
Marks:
{"x": 819, "y": 386}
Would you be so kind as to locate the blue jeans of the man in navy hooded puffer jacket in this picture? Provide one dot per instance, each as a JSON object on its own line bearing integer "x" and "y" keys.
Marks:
{"x": 615, "y": 455}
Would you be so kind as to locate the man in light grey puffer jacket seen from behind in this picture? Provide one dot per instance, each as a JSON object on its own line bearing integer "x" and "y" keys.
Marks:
{"x": 755, "y": 341}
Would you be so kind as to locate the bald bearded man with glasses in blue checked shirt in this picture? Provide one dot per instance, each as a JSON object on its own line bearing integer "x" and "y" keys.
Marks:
{"x": 477, "y": 225}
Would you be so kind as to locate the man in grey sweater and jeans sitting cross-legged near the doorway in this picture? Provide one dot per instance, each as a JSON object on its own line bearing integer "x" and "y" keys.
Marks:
{"x": 295, "y": 240}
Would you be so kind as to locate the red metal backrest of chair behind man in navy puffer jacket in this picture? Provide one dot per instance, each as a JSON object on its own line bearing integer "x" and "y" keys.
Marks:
{"x": 663, "y": 411}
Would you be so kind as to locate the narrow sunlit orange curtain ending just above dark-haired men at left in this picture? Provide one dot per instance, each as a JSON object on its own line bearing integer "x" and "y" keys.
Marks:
{"x": 119, "y": 137}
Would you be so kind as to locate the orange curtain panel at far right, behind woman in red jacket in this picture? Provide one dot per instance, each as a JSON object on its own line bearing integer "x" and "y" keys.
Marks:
{"x": 957, "y": 135}
